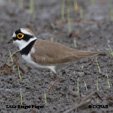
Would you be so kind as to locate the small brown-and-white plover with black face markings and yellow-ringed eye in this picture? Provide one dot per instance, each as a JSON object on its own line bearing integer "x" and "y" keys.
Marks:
{"x": 44, "y": 53}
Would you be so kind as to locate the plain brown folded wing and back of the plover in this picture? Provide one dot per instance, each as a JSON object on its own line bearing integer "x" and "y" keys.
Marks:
{"x": 48, "y": 53}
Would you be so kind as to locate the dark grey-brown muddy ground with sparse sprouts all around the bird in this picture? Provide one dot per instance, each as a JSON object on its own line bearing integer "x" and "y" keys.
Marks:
{"x": 82, "y": 83}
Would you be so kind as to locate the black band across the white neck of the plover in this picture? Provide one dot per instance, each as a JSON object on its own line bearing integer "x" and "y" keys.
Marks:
{"x": 27, "y": 49}
